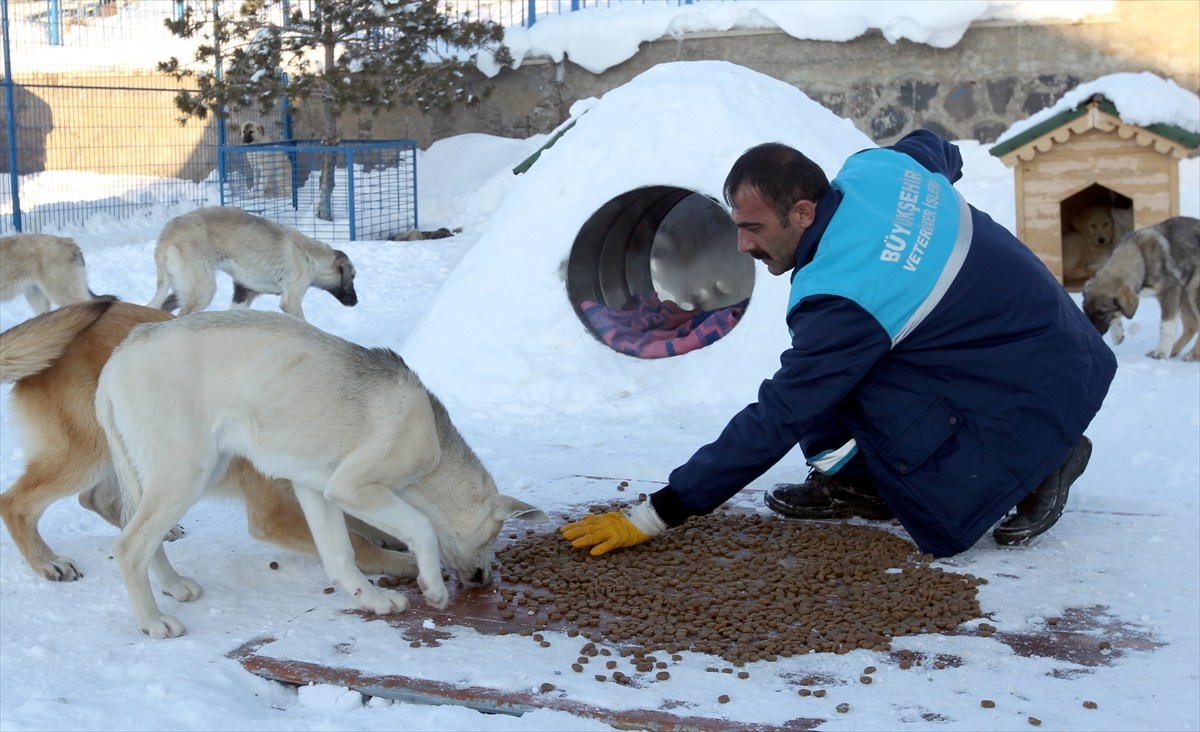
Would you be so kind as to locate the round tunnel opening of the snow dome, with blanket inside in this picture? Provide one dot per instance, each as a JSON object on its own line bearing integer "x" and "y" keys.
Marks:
{"x": 657, "y": 273}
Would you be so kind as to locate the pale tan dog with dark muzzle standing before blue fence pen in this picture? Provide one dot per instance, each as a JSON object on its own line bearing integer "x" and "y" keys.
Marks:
{"x": 261, "y": 256}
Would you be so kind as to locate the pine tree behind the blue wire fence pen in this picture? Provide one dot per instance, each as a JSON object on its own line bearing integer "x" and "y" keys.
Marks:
{"x": 327, "y": 58}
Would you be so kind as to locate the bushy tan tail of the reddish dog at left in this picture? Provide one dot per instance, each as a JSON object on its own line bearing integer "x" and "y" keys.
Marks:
{"x": 34, "y": 346}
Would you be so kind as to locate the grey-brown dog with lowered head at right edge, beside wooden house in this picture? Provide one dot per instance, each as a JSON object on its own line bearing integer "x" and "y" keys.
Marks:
{"x": 1166, "y": 259}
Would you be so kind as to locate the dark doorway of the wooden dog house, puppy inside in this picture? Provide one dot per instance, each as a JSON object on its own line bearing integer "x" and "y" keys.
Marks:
{"x": 1094, "y": 220}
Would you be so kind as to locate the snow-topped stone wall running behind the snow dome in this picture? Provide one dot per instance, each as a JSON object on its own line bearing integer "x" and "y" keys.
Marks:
{"x": 998, "y": 75}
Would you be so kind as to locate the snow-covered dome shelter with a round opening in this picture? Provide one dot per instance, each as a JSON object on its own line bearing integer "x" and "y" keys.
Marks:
{"x": 652, "y": 154}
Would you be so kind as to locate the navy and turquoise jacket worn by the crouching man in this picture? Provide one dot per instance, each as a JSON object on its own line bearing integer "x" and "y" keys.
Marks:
{"x": 945, "y": 347}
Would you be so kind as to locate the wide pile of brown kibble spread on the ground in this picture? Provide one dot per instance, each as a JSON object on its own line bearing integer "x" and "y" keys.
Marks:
{"x": 741, "y": 587}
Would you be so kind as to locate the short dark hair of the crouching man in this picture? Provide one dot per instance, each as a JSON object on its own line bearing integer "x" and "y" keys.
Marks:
{"x": 781, "y": 175}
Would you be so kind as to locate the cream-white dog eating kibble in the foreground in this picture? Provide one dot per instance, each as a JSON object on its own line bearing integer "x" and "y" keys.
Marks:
{"x": 353, "y": 429}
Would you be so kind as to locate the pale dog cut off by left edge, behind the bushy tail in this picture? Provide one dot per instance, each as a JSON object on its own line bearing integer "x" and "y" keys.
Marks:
{"x": 49, "y": 271}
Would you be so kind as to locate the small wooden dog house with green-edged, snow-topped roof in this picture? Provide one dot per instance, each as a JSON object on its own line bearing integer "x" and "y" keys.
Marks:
{"x": 1087, "y": 158}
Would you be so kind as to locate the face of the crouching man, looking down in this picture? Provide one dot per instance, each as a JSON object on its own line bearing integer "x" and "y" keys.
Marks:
{"x": 763, "y": 236}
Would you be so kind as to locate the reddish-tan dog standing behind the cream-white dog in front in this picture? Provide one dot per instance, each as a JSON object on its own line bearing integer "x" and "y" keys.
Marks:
{"x": 56, "y": 361}
